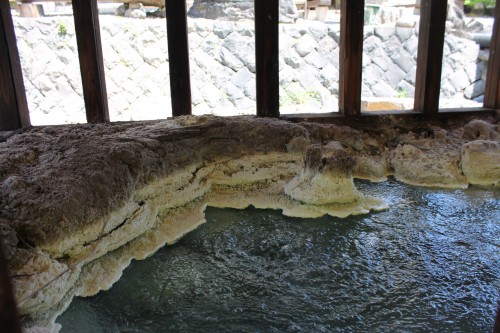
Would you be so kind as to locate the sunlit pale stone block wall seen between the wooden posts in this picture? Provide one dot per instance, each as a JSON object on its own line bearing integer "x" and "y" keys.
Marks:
{"x": 223, "y": 67}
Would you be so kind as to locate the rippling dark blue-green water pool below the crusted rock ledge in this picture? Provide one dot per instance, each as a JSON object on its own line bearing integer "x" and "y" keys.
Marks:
{"x": 431, "y": 263}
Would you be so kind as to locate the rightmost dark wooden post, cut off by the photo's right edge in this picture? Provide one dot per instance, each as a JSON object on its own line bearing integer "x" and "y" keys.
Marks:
{"x": 492, "y": 87}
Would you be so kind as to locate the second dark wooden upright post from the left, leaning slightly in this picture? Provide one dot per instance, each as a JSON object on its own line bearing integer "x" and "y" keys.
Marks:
{"x": 88, "y": 38}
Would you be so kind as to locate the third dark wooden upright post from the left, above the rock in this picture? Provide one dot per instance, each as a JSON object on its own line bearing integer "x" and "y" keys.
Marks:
{"x": 178, "y": 54}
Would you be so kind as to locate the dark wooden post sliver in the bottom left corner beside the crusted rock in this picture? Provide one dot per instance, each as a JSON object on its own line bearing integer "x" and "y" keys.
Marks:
{"x": 9, "y": 318}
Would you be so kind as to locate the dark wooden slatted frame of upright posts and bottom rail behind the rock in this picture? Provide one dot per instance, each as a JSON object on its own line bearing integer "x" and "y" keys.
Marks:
{"x": 427, "y": 87}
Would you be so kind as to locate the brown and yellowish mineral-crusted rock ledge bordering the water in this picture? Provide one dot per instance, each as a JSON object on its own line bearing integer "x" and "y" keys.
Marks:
{"x": 78, "y": 203}
